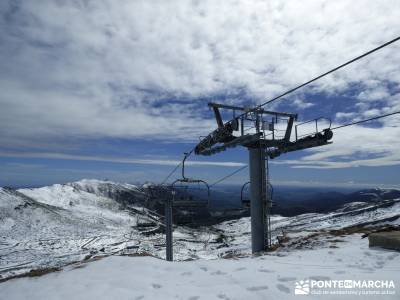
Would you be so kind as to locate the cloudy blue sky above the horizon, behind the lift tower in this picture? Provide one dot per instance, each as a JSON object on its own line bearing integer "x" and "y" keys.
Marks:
{"x": 118, "y": 90}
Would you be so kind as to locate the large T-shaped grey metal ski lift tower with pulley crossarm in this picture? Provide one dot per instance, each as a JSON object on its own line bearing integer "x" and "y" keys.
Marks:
{"x": 255, "y": 129}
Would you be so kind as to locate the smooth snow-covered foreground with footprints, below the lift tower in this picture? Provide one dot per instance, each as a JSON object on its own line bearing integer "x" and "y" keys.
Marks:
{"x": 270, "y": 276}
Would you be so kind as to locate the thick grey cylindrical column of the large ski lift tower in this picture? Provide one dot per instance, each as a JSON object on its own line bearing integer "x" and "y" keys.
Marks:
{"x": 257, "y": 198}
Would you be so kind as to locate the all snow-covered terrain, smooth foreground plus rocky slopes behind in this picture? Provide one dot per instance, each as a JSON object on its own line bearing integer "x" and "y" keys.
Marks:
{"x": 63, "y": 226}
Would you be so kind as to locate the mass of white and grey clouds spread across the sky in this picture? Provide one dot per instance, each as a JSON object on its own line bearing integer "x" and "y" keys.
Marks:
{"x": 79, "y": 70}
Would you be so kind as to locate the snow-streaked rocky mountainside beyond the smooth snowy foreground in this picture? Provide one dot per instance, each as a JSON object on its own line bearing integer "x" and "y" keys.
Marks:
{"x": 56, "y": 225}
